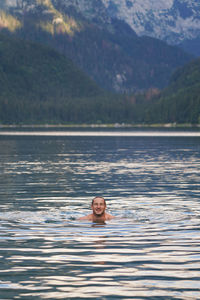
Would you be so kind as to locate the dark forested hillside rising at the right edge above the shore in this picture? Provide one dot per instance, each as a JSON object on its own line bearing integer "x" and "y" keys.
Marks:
{"x": 180, "y": 102}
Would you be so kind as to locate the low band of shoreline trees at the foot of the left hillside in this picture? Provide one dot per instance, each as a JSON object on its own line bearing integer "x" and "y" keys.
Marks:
{"x": 102, "y": 109}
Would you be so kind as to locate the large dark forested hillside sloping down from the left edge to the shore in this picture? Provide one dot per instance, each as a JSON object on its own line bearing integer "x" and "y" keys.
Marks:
{"x": 40, "y": 86}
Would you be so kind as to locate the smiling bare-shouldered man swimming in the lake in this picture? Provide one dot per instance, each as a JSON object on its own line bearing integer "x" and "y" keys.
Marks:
{"x": 98, "y": 211}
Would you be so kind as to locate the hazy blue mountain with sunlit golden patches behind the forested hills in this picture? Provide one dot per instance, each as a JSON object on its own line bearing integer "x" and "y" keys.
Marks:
{"x": 107, "y": 49}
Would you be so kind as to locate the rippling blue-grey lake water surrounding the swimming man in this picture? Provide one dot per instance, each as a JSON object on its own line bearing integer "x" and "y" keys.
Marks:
{"x": 151, "y": 181}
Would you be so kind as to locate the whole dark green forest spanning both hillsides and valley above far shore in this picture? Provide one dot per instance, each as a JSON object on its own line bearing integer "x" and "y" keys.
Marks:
{"x": 41, "y": 86}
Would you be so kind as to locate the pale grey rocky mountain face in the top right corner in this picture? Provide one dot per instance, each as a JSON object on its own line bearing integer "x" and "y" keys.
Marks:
{"x": 174, "y": 21}
